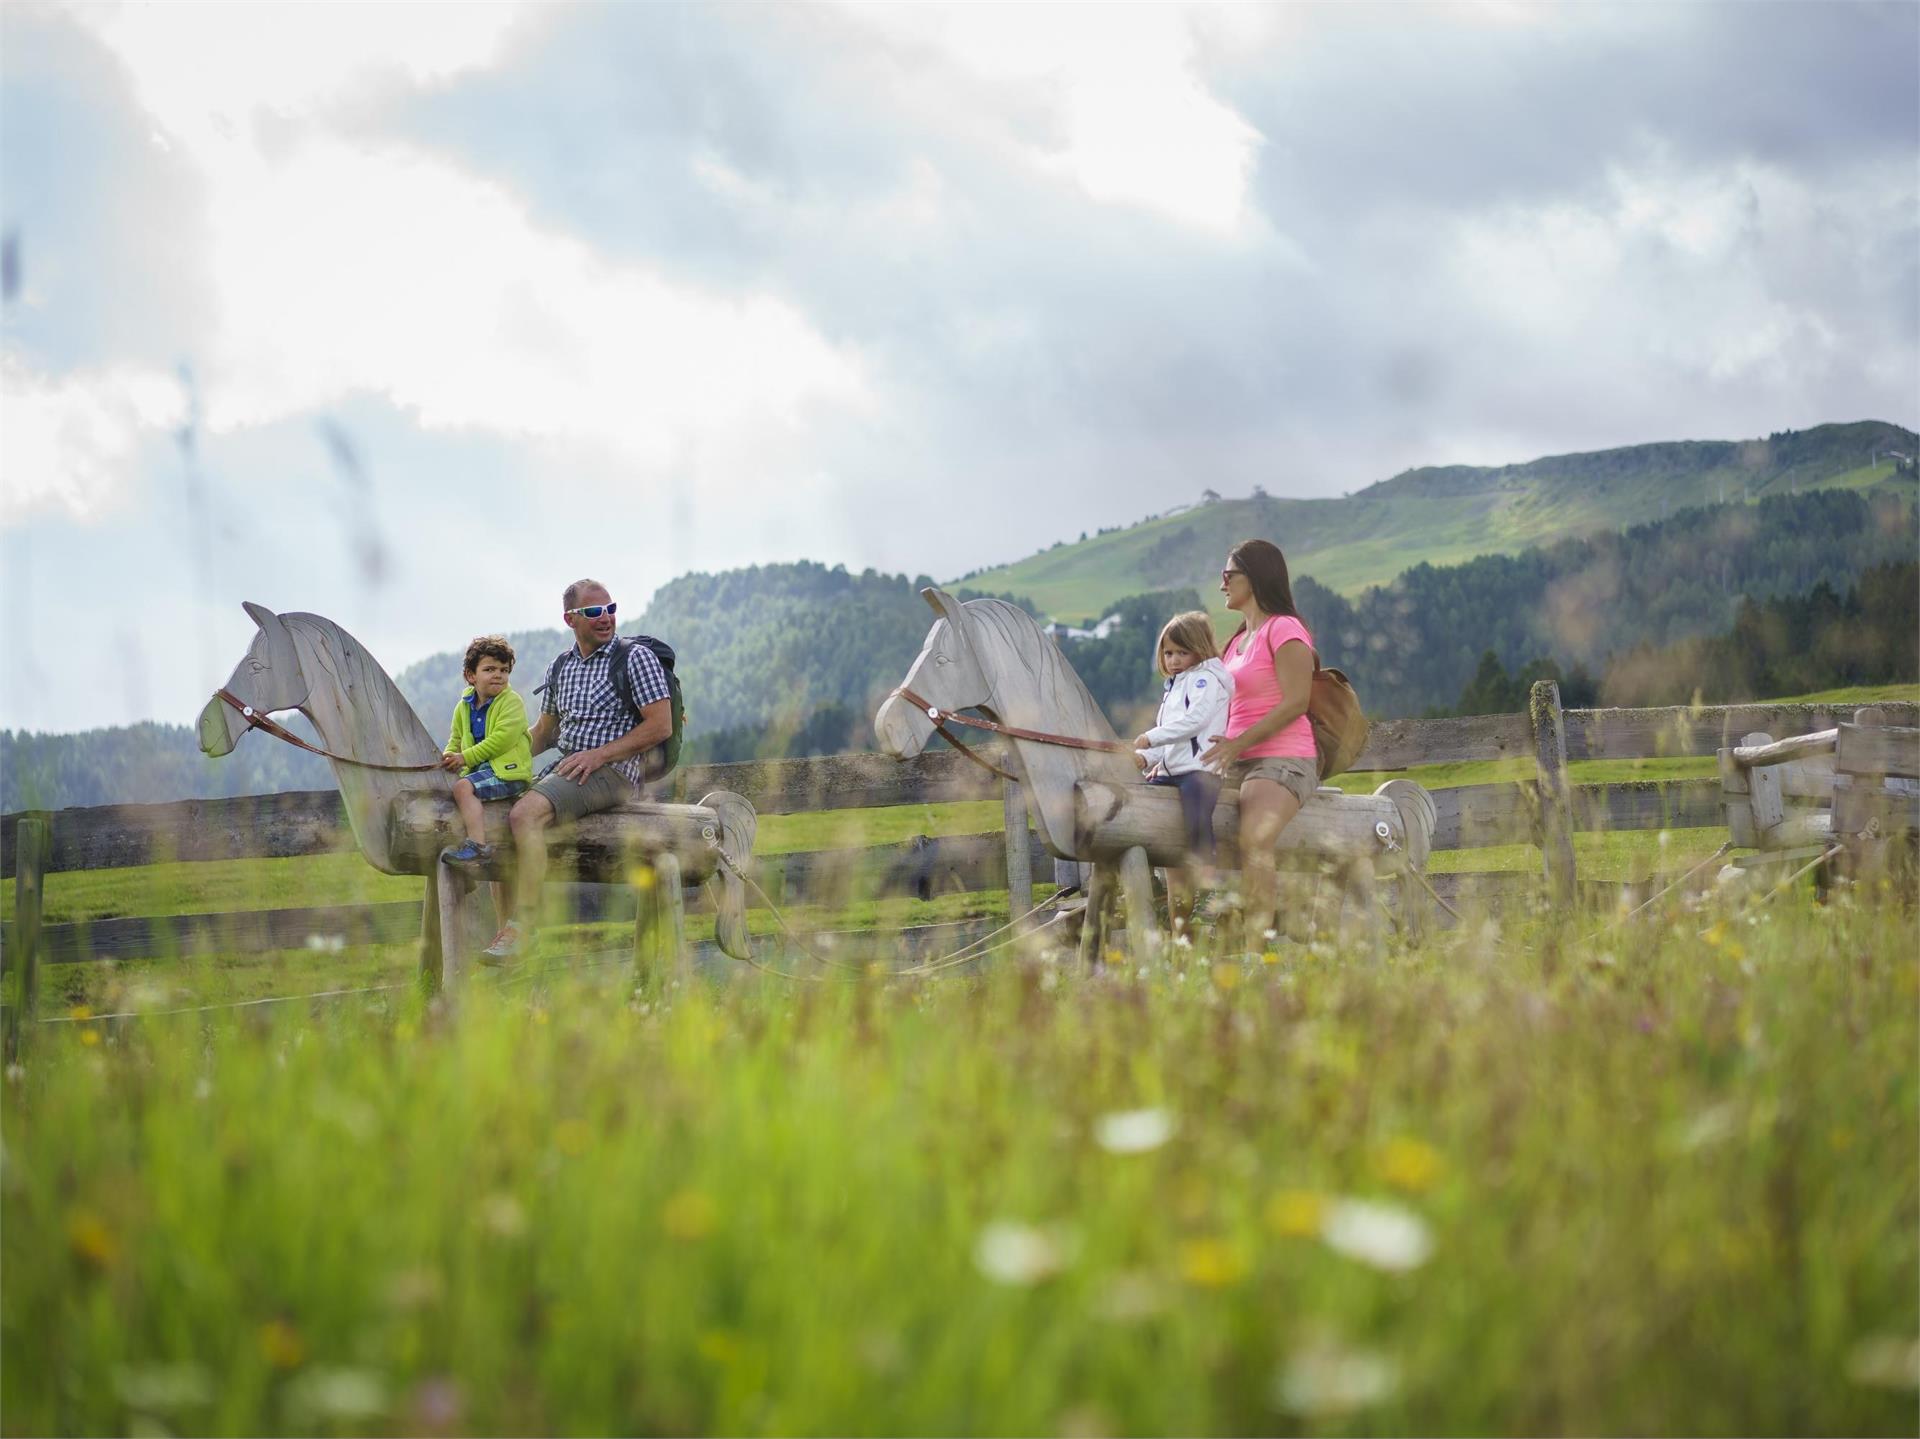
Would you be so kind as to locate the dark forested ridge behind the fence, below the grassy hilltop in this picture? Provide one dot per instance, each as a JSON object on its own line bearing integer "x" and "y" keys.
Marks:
{"x": 1794, "y": 593}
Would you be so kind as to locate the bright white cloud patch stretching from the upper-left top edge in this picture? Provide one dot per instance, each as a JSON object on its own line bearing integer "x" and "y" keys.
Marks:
{"x": 345, "y": 268}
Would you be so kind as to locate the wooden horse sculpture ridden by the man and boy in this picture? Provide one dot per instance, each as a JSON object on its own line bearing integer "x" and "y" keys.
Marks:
{"x": 400, "y": 804}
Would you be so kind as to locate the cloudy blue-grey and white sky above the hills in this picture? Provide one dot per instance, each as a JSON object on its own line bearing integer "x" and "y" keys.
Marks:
{"x": 408, "y": 316}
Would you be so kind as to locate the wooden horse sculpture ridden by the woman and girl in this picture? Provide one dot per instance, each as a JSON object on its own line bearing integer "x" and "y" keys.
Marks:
{"x": 1093, "y": 806}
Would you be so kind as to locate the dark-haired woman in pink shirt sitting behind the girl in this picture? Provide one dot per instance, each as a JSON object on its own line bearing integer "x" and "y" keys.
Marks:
{"x": 1268, "y": 748}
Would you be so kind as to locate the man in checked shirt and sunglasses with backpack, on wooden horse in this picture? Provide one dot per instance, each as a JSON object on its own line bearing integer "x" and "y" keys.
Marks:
{"x": 604, "y": 754}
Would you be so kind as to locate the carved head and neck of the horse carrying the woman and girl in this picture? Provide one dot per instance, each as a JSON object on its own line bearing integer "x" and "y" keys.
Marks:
{"x": 992, "y": 656}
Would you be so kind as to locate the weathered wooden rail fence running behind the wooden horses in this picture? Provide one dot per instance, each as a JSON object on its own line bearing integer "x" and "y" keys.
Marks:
{"x": 1545, "y": 812}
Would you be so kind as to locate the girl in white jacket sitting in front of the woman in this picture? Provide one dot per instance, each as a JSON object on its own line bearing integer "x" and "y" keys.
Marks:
{"x": 1193, "y": 714}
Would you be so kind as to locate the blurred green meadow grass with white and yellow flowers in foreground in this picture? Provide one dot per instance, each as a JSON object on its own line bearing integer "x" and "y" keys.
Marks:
{"x": 1514, "y": 1183}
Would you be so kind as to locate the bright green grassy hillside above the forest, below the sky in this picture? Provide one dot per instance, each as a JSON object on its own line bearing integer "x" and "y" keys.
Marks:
{"x": 1445, "y": 516}
